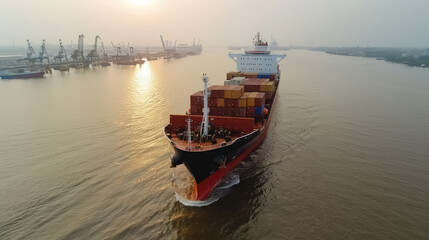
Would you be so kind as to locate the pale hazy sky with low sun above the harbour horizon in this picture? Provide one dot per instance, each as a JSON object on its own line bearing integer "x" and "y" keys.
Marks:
{"x": 218, "y": 22}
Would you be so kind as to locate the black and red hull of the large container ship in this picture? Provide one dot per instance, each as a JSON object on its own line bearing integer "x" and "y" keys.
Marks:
{"x": 206, "y": 166}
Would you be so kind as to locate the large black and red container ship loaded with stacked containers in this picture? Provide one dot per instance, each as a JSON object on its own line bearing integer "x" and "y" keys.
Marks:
{"x": 225, "y": 123}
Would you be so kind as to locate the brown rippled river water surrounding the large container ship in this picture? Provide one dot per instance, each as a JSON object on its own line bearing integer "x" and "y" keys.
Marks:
{"x": 82, "y": 154}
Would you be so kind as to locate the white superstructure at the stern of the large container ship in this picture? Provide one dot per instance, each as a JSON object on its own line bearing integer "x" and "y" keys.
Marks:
{"x": 258, "y": 59}
